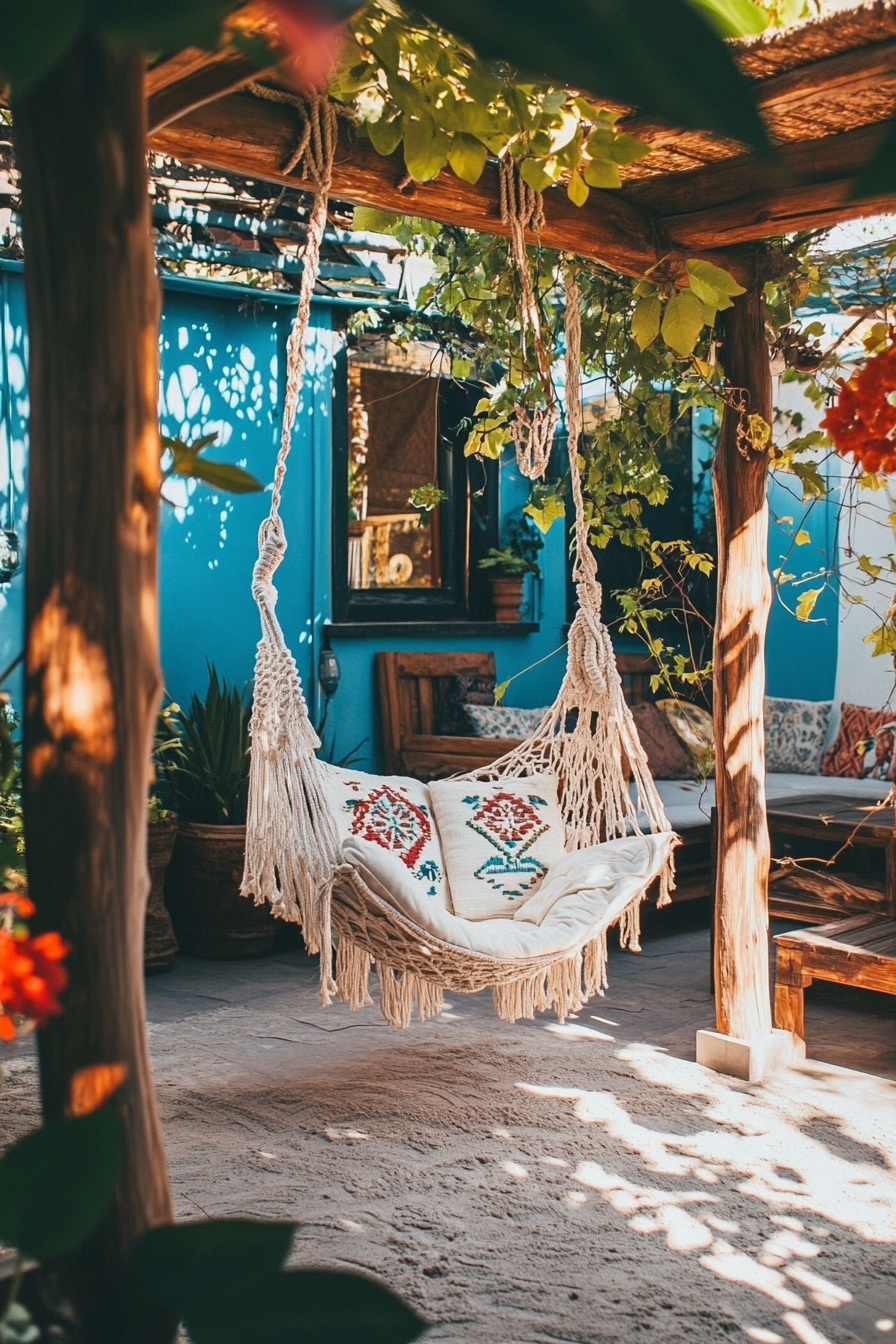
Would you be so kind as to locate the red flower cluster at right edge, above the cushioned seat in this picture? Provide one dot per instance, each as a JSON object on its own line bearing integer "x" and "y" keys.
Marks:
{"x": 863, "y": 421}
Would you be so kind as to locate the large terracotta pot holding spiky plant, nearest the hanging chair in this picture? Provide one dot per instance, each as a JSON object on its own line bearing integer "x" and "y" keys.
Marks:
{"x": 202, "y": 892}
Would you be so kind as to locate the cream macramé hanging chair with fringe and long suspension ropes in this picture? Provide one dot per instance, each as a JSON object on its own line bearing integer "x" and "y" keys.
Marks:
{"x": 588, "y": 741}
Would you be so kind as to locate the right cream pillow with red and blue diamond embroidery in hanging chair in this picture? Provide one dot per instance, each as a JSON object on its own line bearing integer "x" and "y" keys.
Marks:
{"x": 499, "y": 839}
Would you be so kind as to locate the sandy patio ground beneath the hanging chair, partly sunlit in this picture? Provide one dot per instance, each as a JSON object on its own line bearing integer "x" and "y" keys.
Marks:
{"x": 541, "y": 1183}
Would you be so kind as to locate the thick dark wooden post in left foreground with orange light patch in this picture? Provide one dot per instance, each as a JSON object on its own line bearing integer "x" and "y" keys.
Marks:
{"x": 92, "y": 670}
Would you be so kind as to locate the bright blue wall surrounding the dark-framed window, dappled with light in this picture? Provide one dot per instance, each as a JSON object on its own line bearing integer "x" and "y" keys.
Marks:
{"x": 222, "y": 372}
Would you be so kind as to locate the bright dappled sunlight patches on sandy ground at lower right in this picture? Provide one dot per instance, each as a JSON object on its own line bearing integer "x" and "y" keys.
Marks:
{"x": 812, "y": 1150}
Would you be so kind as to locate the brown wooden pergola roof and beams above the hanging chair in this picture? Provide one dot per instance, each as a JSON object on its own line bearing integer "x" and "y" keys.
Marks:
{"x": 825, "y": 88}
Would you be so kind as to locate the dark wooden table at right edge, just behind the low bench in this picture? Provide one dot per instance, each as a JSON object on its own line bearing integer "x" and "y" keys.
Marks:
{"x": 812, "y": 829}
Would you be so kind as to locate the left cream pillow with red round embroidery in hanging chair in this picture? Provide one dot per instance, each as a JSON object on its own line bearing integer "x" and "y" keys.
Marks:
{"x": 394, "y": 818}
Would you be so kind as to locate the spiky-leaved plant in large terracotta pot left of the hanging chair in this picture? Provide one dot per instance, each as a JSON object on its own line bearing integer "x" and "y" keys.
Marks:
{"x": 208, "y": 779}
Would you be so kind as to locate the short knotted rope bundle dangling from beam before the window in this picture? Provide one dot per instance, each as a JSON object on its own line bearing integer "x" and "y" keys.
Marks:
{"x": 533, "y": 431}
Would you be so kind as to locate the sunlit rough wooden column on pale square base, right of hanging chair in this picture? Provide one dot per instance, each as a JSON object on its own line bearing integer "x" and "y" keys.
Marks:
{"x": 744, "y": 1007}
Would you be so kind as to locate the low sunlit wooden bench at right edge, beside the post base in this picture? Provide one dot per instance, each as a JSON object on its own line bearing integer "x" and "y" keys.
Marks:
{"x": 859, "y": 952}
